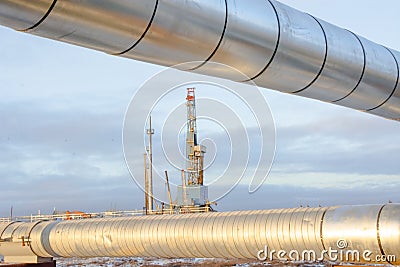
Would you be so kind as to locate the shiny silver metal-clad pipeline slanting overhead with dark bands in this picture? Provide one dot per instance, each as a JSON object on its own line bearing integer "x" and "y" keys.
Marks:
{"x": 276, "y": 46}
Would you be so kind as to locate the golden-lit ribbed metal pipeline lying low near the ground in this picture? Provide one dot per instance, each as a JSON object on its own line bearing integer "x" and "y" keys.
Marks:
{"x": 239, "y": 234}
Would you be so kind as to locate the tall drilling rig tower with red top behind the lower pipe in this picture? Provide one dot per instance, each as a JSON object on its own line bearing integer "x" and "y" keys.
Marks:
{"x": 192, "y": 192}
